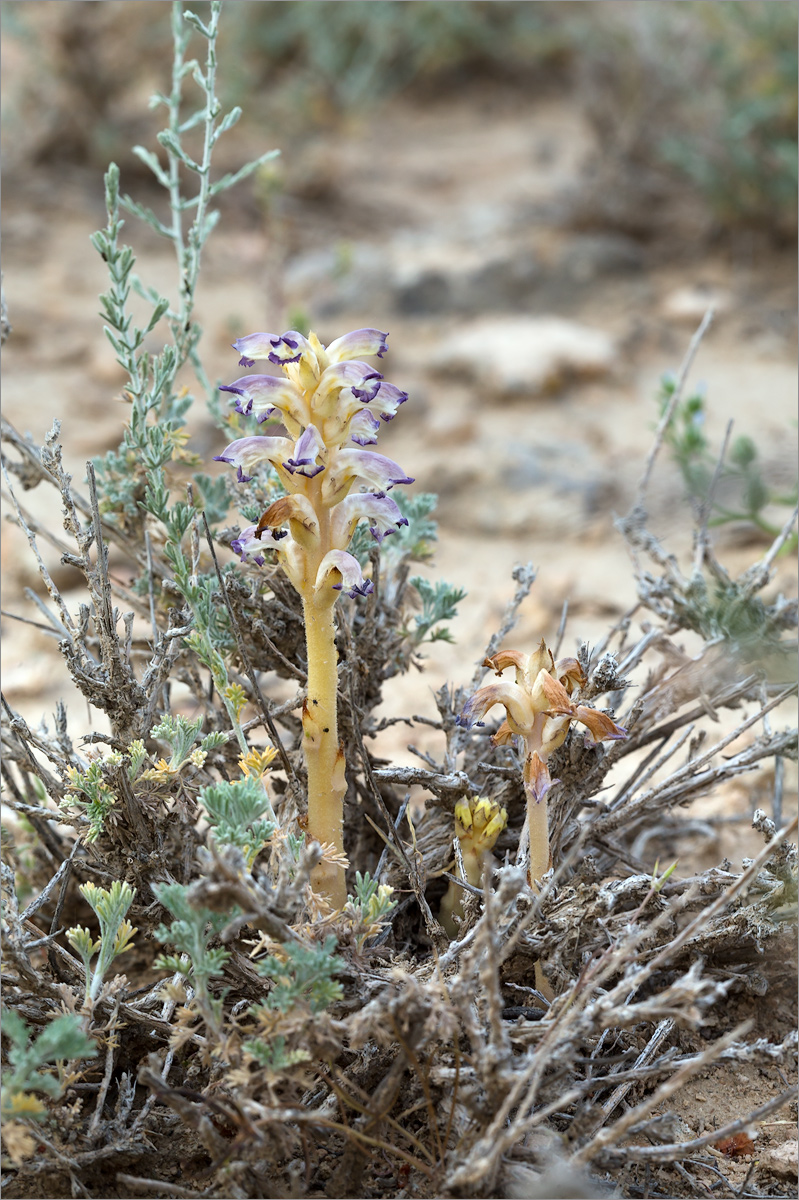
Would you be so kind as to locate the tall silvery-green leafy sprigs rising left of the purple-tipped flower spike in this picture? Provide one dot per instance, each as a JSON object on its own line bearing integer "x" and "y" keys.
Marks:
{"x": 133, "y": 478}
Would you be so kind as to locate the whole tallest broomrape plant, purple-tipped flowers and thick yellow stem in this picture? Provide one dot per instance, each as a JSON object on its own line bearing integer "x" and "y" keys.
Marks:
{"x": 332, "y": 405}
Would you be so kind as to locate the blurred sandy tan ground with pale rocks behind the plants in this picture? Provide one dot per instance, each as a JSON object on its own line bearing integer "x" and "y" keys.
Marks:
{"x": 429, "y": 223}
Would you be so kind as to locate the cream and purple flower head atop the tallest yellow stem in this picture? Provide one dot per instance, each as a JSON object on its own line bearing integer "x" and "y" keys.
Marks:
{"x": 331, "y": 404}
